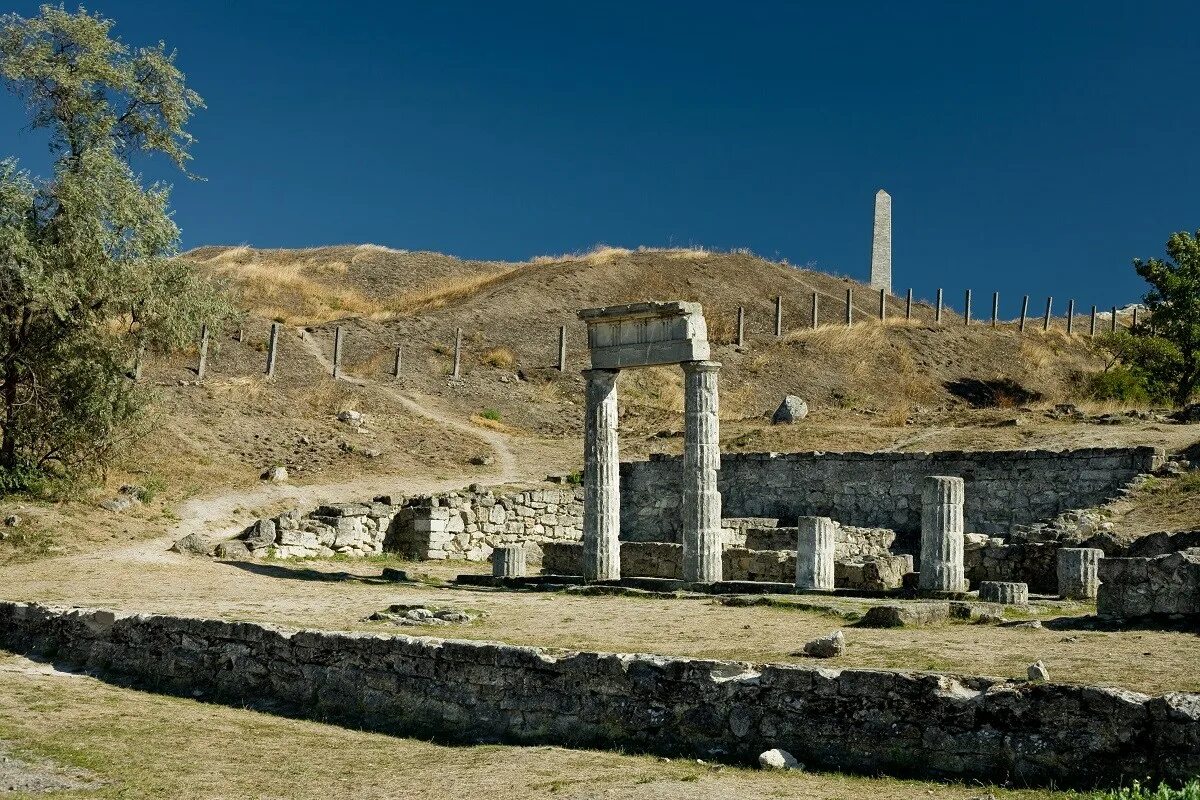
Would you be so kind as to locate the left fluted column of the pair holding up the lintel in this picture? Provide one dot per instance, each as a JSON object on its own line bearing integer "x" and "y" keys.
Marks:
{"x": 602, "y": 478}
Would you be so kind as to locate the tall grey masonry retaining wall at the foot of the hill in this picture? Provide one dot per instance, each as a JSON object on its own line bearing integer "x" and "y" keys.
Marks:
{"x": 1005, "y": 490}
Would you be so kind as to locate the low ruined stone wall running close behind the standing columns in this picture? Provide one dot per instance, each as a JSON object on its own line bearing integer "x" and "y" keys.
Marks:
{"x": 665, "y": 561}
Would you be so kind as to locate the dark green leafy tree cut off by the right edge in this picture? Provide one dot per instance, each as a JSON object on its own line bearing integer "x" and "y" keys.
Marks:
{"x": 1174, "y": 304}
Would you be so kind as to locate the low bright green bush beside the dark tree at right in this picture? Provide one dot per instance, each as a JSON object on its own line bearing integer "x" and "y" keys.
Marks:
{"x": 1142, "y": 370}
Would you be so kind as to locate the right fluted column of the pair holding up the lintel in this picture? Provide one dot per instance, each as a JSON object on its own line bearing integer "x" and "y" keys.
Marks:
{"x": 701, "y": 461}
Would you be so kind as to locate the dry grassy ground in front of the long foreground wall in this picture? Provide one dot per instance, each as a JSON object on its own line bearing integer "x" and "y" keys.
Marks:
{"x": 203, "y": 751}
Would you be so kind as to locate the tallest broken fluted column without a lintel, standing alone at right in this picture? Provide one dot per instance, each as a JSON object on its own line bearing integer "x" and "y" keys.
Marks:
{"x": 941, "y": 536}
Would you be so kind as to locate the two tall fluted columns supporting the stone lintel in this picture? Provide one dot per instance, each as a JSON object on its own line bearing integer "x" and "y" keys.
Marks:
{"x": 701, "y": 462}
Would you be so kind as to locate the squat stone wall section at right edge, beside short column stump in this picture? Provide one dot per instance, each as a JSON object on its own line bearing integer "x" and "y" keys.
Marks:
{"x": 1162, "y": 586}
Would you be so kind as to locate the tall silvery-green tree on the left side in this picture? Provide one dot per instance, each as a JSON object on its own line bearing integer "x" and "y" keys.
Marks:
{"x": 88, "y": 282}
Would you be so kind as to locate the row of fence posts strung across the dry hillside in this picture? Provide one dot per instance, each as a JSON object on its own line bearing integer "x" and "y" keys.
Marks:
{"x": 273, "y": 346}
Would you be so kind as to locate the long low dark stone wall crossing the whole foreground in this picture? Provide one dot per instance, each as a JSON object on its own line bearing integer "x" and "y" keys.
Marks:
{"x": 850, "y": 720}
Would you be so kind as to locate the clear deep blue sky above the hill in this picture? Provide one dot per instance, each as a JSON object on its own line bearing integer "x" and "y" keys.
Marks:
{"x": 1029, "y": 147}
